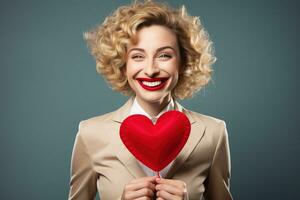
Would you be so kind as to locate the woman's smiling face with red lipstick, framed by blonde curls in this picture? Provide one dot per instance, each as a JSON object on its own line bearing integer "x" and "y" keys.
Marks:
{"x": 152, "y": 64}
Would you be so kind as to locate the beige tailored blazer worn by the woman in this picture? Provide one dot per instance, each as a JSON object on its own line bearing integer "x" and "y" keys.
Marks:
{"x": 100, "y": 161}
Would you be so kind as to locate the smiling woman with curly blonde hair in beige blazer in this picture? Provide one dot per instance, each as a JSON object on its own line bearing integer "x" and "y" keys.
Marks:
{"x": 154, "y": 54}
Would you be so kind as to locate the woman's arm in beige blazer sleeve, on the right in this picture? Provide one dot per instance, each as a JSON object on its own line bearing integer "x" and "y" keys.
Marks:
{"x": 217, "y": 185}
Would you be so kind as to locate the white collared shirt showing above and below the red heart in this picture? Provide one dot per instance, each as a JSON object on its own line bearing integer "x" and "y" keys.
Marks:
{"x": 137, "y": 109}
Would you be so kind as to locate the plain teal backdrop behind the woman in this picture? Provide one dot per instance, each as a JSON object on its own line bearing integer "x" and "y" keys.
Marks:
{"x": 49, "y": 84}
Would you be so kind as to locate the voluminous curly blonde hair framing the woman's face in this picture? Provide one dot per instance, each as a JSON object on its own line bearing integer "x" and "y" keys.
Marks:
{"x": 108, "y": 44}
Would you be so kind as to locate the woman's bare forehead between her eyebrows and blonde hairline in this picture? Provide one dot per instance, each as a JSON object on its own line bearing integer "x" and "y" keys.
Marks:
{"x": 155, "y": 36}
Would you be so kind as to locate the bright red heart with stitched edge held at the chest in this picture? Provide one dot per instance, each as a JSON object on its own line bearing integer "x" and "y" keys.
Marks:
{"x": 155, "y": 145}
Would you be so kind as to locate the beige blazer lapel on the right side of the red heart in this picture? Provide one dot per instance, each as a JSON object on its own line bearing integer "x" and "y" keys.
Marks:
{"x": 196, "y": 134}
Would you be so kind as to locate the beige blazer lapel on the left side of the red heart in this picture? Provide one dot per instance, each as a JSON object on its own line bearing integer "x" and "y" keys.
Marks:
{"x": 126, "y": 158}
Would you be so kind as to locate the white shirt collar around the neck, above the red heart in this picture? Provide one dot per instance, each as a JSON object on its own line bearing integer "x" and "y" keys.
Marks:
{"x": 137, "y": 109}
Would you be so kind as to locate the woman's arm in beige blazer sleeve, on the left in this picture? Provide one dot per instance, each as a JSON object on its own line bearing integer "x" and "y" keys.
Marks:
{"x": 83, "y": 177}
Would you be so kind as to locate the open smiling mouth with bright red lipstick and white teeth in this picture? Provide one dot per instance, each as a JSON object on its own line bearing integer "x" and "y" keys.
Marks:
{"x": 152, "y": 84}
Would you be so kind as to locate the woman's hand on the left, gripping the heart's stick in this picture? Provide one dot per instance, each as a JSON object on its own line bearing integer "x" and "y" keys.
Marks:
{"x": 141, "y": 188}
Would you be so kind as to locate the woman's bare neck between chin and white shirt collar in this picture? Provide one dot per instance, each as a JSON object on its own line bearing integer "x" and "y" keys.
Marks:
{"x": 154, "y": 108}
